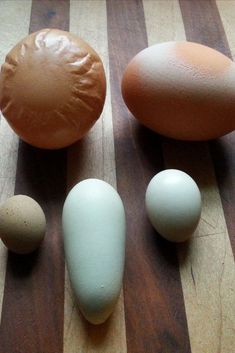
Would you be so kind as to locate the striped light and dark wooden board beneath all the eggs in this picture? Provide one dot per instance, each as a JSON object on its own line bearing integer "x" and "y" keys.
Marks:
{"x": 175, "y": 298}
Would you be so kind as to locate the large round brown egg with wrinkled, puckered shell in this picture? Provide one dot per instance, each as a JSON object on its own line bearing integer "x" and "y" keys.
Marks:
{"x": 52, "y": 88}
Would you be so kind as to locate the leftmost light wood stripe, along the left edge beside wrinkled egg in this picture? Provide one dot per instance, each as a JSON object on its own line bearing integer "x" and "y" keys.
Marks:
{"x": 11, "y": 32}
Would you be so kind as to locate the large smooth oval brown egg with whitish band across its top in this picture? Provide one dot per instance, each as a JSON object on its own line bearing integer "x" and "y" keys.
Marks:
{"x": 182, "y": 90}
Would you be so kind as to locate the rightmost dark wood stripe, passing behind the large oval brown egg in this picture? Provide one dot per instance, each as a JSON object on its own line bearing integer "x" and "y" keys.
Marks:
{"x": 203, "y": 24}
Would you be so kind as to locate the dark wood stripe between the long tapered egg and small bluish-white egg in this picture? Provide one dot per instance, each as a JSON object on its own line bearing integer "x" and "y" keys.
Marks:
{"x": 154, "y": 306}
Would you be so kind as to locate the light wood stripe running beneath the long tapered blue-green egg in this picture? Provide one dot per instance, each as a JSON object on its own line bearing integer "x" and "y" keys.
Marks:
{"x": 93, "y": 157}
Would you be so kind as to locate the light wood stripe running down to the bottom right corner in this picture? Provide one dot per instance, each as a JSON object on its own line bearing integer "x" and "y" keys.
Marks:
{"x": 206, "y": 263}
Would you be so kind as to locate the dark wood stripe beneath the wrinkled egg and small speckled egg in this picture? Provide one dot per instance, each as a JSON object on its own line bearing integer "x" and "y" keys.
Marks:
{"x": 33, "y": 303}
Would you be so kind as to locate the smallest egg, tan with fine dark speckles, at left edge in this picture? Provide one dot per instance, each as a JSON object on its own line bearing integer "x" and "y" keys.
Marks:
{"x": 22, "y": 224}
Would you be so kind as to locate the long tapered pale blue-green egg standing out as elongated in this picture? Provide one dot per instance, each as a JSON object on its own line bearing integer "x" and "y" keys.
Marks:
{"x": 94, "y": 241}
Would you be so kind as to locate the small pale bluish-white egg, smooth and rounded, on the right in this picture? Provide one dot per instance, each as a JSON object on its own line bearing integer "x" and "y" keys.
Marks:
{"x": 173, "y": 204}
